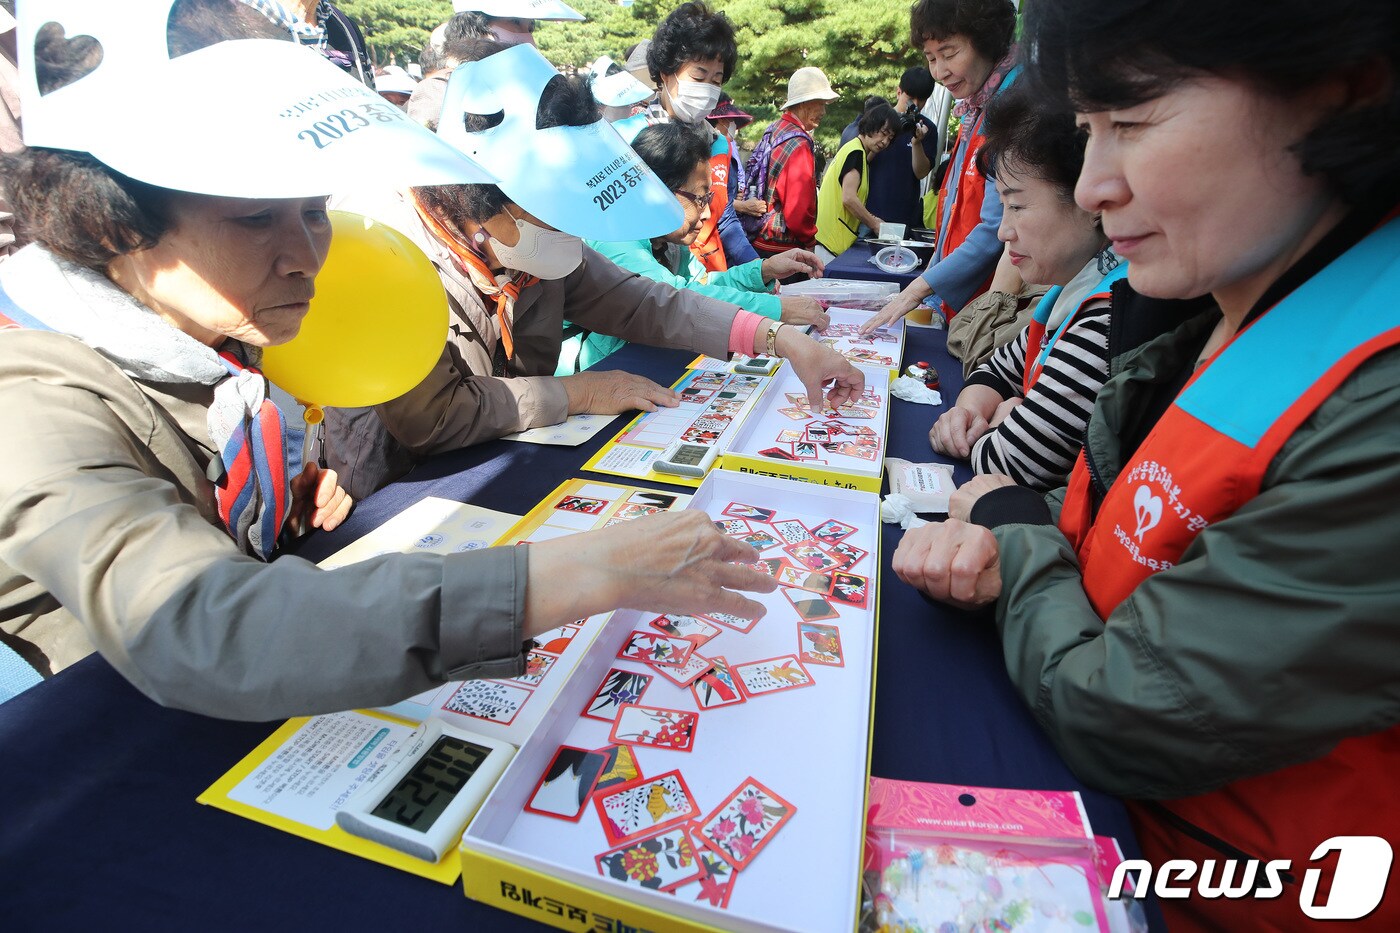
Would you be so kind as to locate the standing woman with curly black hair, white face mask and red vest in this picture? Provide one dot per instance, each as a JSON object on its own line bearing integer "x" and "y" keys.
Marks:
{"x": 689, "y": 58}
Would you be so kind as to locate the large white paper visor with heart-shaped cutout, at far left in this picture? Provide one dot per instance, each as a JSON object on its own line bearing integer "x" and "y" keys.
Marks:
{"x": 247, "y": 118}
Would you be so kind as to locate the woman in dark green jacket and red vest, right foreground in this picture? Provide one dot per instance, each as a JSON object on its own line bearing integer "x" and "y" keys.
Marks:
{"x": 1205, "y": 621}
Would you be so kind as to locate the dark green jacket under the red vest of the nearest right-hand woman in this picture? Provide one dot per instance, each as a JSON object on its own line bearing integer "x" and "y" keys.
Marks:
{"x": 1270, "y": 641}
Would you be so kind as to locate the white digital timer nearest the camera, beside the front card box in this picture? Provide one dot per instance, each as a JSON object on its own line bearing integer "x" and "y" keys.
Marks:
{"x": 436, "y": 782}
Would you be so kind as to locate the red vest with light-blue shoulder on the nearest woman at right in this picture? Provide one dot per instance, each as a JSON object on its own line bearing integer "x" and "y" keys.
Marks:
{"x": 1205, "y": 460}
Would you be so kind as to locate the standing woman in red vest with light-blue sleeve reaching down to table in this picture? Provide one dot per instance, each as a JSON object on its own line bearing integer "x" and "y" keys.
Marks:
{"x": 968, "y": 47}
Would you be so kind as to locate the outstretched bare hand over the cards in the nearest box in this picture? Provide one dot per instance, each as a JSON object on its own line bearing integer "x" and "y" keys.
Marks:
{"x": 673, "y": 562}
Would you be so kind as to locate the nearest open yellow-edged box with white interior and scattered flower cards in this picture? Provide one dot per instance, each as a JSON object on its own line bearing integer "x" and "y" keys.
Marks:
{"x": 804, "y": 738}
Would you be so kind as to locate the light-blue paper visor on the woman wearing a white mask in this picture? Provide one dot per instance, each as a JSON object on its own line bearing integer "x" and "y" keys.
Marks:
{"x": 582, "y": 180}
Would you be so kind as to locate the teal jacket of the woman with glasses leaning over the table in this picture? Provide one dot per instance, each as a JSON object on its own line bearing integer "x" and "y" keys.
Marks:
{"x": 741, "y": 285}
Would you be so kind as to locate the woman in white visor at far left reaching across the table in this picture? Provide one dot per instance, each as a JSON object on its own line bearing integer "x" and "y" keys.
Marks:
{"x": 145, "y": 490}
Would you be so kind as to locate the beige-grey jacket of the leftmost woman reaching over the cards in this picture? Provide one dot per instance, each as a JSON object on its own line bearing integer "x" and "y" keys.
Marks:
{"x": 110, "y": 540}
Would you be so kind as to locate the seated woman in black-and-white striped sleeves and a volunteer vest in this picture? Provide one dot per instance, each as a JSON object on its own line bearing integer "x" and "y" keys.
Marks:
{"x": 1021, "y": 415}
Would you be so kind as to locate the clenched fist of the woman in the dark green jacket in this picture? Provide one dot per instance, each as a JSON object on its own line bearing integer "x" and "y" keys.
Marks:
{"x": 953, "y": 562}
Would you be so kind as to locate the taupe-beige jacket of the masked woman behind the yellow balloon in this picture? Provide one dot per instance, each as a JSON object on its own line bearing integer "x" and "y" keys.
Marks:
{"x": 470, "y": 397}
